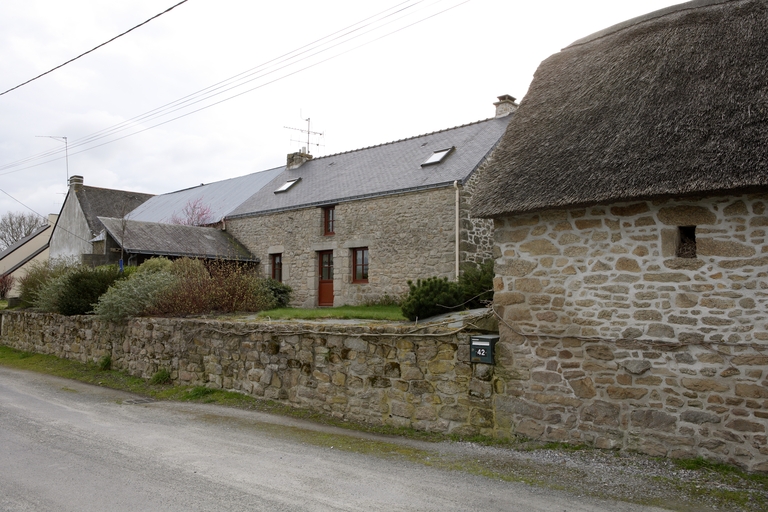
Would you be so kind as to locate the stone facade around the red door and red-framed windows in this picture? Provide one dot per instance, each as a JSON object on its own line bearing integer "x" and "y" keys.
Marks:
{"x": 408, "y": 236}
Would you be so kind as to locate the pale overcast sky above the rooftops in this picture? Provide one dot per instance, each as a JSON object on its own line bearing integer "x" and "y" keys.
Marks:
{"x": 365, "y": 73}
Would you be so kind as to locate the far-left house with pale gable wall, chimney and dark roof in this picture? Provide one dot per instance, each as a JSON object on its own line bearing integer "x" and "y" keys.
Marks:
{"x": 78, "y": 227}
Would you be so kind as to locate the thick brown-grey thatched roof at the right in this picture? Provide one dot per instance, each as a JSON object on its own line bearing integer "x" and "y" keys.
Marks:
{"x": 673, "y": 103}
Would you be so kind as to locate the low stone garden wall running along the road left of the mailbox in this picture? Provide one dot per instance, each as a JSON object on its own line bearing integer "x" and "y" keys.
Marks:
{"x": 391, "y": 375}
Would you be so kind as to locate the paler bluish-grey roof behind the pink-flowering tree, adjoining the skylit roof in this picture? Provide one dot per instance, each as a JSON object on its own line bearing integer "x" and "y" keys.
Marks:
{"x": 221, "y": 197}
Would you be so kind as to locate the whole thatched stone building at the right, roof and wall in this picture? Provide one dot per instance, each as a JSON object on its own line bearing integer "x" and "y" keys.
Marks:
{"x": 629, "y": 199}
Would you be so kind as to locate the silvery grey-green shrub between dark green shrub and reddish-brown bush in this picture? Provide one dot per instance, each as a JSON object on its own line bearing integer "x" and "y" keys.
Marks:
{"x": 134, "y": 296}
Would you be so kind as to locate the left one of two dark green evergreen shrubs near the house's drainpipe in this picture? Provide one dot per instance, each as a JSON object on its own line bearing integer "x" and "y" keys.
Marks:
{"x": 430, "y": 297}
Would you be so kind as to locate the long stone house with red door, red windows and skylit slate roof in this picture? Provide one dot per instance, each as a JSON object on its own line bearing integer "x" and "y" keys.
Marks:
{"x": 354, "y": 227}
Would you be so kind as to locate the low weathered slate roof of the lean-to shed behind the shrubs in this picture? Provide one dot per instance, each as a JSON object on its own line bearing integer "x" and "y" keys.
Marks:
{"x": 175, "y": 240}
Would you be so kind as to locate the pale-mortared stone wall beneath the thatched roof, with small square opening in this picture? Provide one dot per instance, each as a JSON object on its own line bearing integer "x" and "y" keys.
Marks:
{"x": 609, "y": 337}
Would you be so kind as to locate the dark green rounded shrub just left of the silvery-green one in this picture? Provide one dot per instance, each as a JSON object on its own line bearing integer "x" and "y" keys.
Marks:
{"x": 84, "y": 286}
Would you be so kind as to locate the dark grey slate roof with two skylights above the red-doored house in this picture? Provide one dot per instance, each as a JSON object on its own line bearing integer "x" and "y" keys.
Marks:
{"x": 385, "y": 169}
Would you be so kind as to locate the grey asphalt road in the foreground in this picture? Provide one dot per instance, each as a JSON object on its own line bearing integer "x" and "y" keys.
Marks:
{"x": 67, "y": 446}
